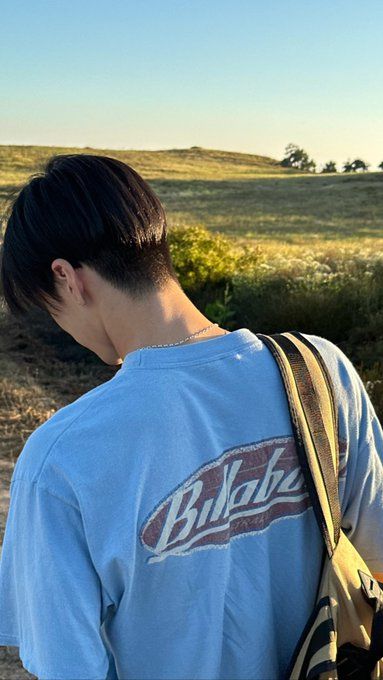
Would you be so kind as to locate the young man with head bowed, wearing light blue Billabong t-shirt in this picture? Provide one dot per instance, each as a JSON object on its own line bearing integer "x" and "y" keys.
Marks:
{"x": 159, "y": 526}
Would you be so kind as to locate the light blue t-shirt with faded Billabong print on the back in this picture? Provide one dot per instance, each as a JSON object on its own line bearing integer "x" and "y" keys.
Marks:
{"x": 159, "y": 526}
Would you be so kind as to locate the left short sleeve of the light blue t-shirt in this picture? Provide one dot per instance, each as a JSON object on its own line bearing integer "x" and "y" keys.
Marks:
{"x": 50, "y": 592}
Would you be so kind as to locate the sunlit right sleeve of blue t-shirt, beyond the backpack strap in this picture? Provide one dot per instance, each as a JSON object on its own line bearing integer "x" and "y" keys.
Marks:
{"x": 361, "y": 473}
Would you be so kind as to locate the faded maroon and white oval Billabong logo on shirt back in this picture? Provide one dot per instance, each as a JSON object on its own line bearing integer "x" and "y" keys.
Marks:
{"x": 243, "y": 491}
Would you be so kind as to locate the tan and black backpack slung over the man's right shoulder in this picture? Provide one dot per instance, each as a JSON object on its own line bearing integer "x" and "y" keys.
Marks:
{"x": 343, "y": 637}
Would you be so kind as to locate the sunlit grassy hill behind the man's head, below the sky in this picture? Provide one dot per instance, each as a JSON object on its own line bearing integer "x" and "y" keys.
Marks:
{"x": 245, "y": 196}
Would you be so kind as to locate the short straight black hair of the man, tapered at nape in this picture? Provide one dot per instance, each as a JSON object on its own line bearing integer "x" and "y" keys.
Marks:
{"x": 87, "y": 209}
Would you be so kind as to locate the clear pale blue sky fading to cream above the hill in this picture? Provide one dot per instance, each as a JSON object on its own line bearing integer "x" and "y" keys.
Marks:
{"x": 237, "y": 75}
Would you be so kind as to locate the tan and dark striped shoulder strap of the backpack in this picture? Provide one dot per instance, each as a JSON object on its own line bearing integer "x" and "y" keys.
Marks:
{"x": 314, "y": 419}
